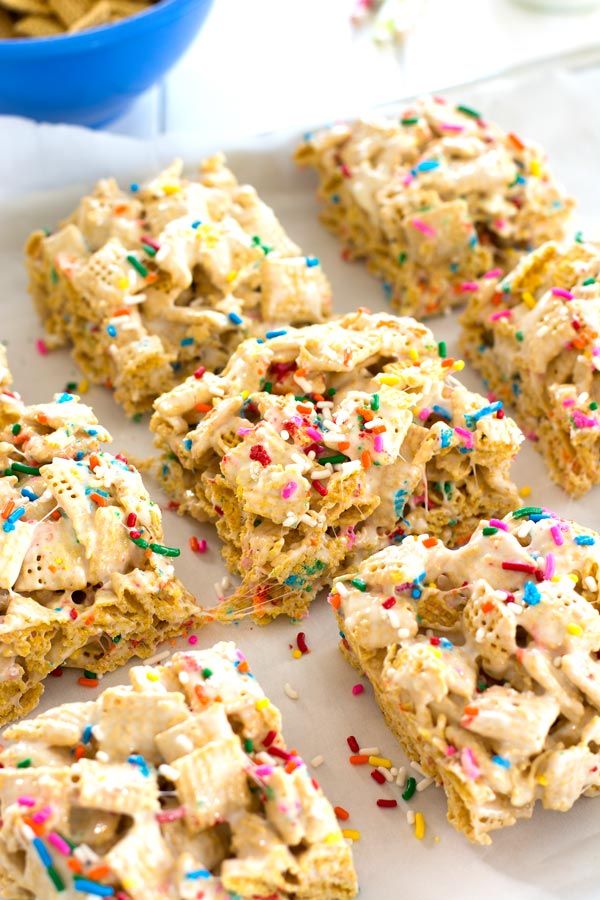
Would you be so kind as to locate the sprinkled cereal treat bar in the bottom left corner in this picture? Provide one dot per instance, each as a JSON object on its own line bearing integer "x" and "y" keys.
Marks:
{"x": 176, "y": 787}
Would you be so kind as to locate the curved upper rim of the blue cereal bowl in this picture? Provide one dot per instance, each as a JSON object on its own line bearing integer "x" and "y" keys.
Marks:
{"x": 55, "y": 43}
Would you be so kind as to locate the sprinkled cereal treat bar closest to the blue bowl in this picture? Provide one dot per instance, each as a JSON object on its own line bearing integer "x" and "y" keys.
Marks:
{"x": 150, "y": 285}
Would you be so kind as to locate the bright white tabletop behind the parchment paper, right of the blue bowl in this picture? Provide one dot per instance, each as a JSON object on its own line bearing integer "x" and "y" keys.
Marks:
{"x": 261, "y": 65}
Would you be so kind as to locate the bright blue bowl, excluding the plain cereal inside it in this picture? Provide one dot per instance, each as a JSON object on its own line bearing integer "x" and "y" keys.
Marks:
{"x": 91, "y": 77}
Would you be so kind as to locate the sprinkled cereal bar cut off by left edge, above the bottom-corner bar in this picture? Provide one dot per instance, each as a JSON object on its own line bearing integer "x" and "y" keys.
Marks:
{"x": 84, "y": 578}
